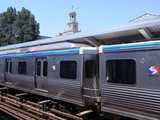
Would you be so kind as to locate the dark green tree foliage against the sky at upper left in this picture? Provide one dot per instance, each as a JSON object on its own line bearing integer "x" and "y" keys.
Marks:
{"x": 17, "y": 26}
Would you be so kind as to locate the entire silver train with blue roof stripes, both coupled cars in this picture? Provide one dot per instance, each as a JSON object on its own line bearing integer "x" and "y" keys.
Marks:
{"x": 118, "y": 79}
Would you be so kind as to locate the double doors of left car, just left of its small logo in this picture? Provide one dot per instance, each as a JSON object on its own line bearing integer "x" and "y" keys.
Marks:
{"x": 41, "y": 73}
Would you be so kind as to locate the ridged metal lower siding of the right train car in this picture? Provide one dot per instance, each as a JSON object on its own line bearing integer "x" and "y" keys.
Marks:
{"x": 133, "y": 98}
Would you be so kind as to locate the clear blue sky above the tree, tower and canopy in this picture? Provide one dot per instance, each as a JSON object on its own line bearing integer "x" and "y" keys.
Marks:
{"x": 93, "y": 15}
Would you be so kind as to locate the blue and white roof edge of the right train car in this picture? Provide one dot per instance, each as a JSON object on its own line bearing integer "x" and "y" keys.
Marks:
{"x": 130, "y": 46}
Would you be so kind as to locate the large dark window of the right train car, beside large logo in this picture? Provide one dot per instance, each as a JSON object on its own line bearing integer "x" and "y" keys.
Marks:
{"x": 121, "y": 71}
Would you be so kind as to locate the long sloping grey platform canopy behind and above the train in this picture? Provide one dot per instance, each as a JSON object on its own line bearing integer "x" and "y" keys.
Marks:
{"x": 132, "y": 32}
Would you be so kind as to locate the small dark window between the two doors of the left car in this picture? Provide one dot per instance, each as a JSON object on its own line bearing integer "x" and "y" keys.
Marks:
{"x": 22, "y": 68}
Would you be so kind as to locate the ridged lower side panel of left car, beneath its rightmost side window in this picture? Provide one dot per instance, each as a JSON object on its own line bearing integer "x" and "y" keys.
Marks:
{"x": 66, "y": 89}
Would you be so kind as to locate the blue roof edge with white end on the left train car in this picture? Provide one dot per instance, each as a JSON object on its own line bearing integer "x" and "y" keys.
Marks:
{"x": 70, "y": 51}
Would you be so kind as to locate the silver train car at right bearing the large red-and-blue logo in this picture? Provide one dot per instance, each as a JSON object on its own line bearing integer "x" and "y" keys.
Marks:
{"x": 130, "y": 79}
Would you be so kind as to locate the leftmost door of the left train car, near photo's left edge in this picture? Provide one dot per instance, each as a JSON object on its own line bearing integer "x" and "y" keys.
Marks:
{"x": 8, "y": 70}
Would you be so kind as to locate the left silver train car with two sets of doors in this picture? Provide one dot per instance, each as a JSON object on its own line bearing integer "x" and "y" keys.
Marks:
{"x": 57, "y": 73}
